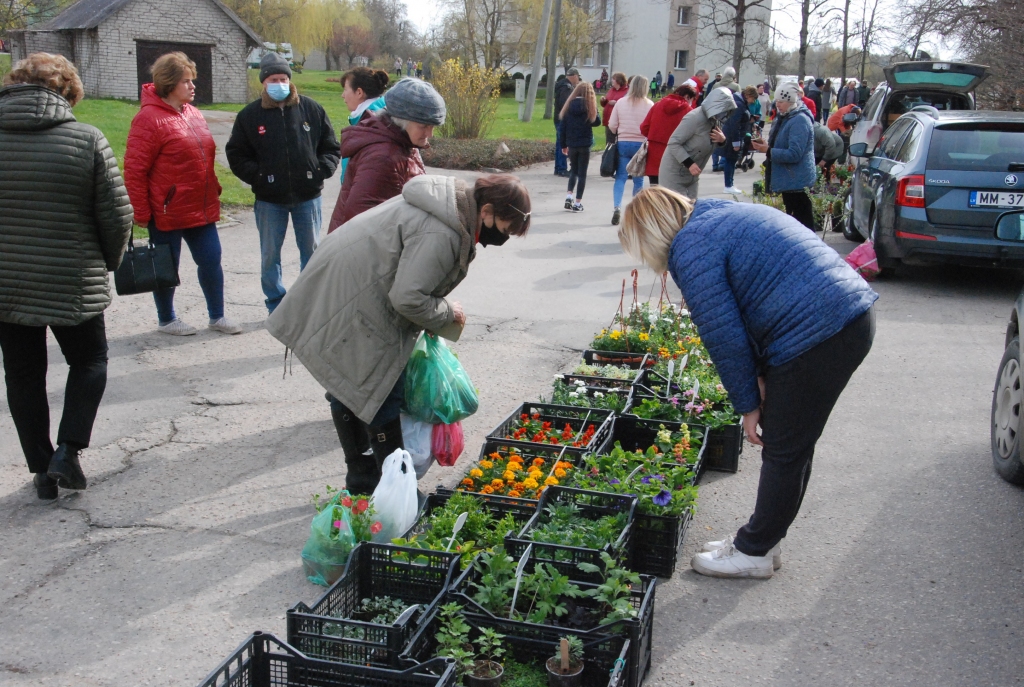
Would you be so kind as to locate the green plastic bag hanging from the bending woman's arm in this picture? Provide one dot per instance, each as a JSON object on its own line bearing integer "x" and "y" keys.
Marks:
{"x": 438, "y": 389}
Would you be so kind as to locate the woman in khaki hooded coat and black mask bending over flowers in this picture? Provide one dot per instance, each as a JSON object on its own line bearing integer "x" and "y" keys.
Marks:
{"x": 354, "y": 316}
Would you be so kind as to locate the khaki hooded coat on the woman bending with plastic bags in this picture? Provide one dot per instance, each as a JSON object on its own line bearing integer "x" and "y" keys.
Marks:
{"x": 356, "y": 312}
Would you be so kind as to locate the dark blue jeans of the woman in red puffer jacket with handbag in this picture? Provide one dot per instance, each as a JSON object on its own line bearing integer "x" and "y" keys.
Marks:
{"x": 204, "y": 244}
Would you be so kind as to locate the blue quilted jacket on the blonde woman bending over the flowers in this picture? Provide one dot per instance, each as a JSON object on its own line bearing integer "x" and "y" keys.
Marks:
{"x": 761, "y": 289}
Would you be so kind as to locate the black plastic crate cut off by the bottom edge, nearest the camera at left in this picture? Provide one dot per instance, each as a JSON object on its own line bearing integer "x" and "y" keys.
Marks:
{"x": 264, "y": 661}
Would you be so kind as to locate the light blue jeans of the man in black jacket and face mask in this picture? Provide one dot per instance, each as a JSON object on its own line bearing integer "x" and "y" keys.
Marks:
{"x": 272, "y": 222}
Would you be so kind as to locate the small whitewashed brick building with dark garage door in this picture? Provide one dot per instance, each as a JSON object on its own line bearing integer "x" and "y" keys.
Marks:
{"x": 114, "y": 42}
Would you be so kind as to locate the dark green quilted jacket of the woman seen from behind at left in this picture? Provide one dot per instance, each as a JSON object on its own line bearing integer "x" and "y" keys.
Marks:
{"x": 65, "y": 217}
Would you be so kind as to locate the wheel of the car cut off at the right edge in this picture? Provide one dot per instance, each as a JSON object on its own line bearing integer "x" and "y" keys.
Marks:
{"x": 1007, "y": 400}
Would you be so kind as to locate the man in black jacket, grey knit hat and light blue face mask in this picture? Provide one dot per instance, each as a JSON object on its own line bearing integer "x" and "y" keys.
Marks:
{"x": 284, "y": 147}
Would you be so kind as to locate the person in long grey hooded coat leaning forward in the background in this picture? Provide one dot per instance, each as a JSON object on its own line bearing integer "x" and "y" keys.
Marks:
{"x": 691, "y": 145}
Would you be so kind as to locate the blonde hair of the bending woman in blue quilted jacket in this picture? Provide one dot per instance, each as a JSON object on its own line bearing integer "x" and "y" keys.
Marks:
{"x": 651, "y": 225}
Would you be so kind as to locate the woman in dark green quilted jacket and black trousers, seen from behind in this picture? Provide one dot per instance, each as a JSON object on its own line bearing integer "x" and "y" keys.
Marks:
{"x": 65, "y": 224}
